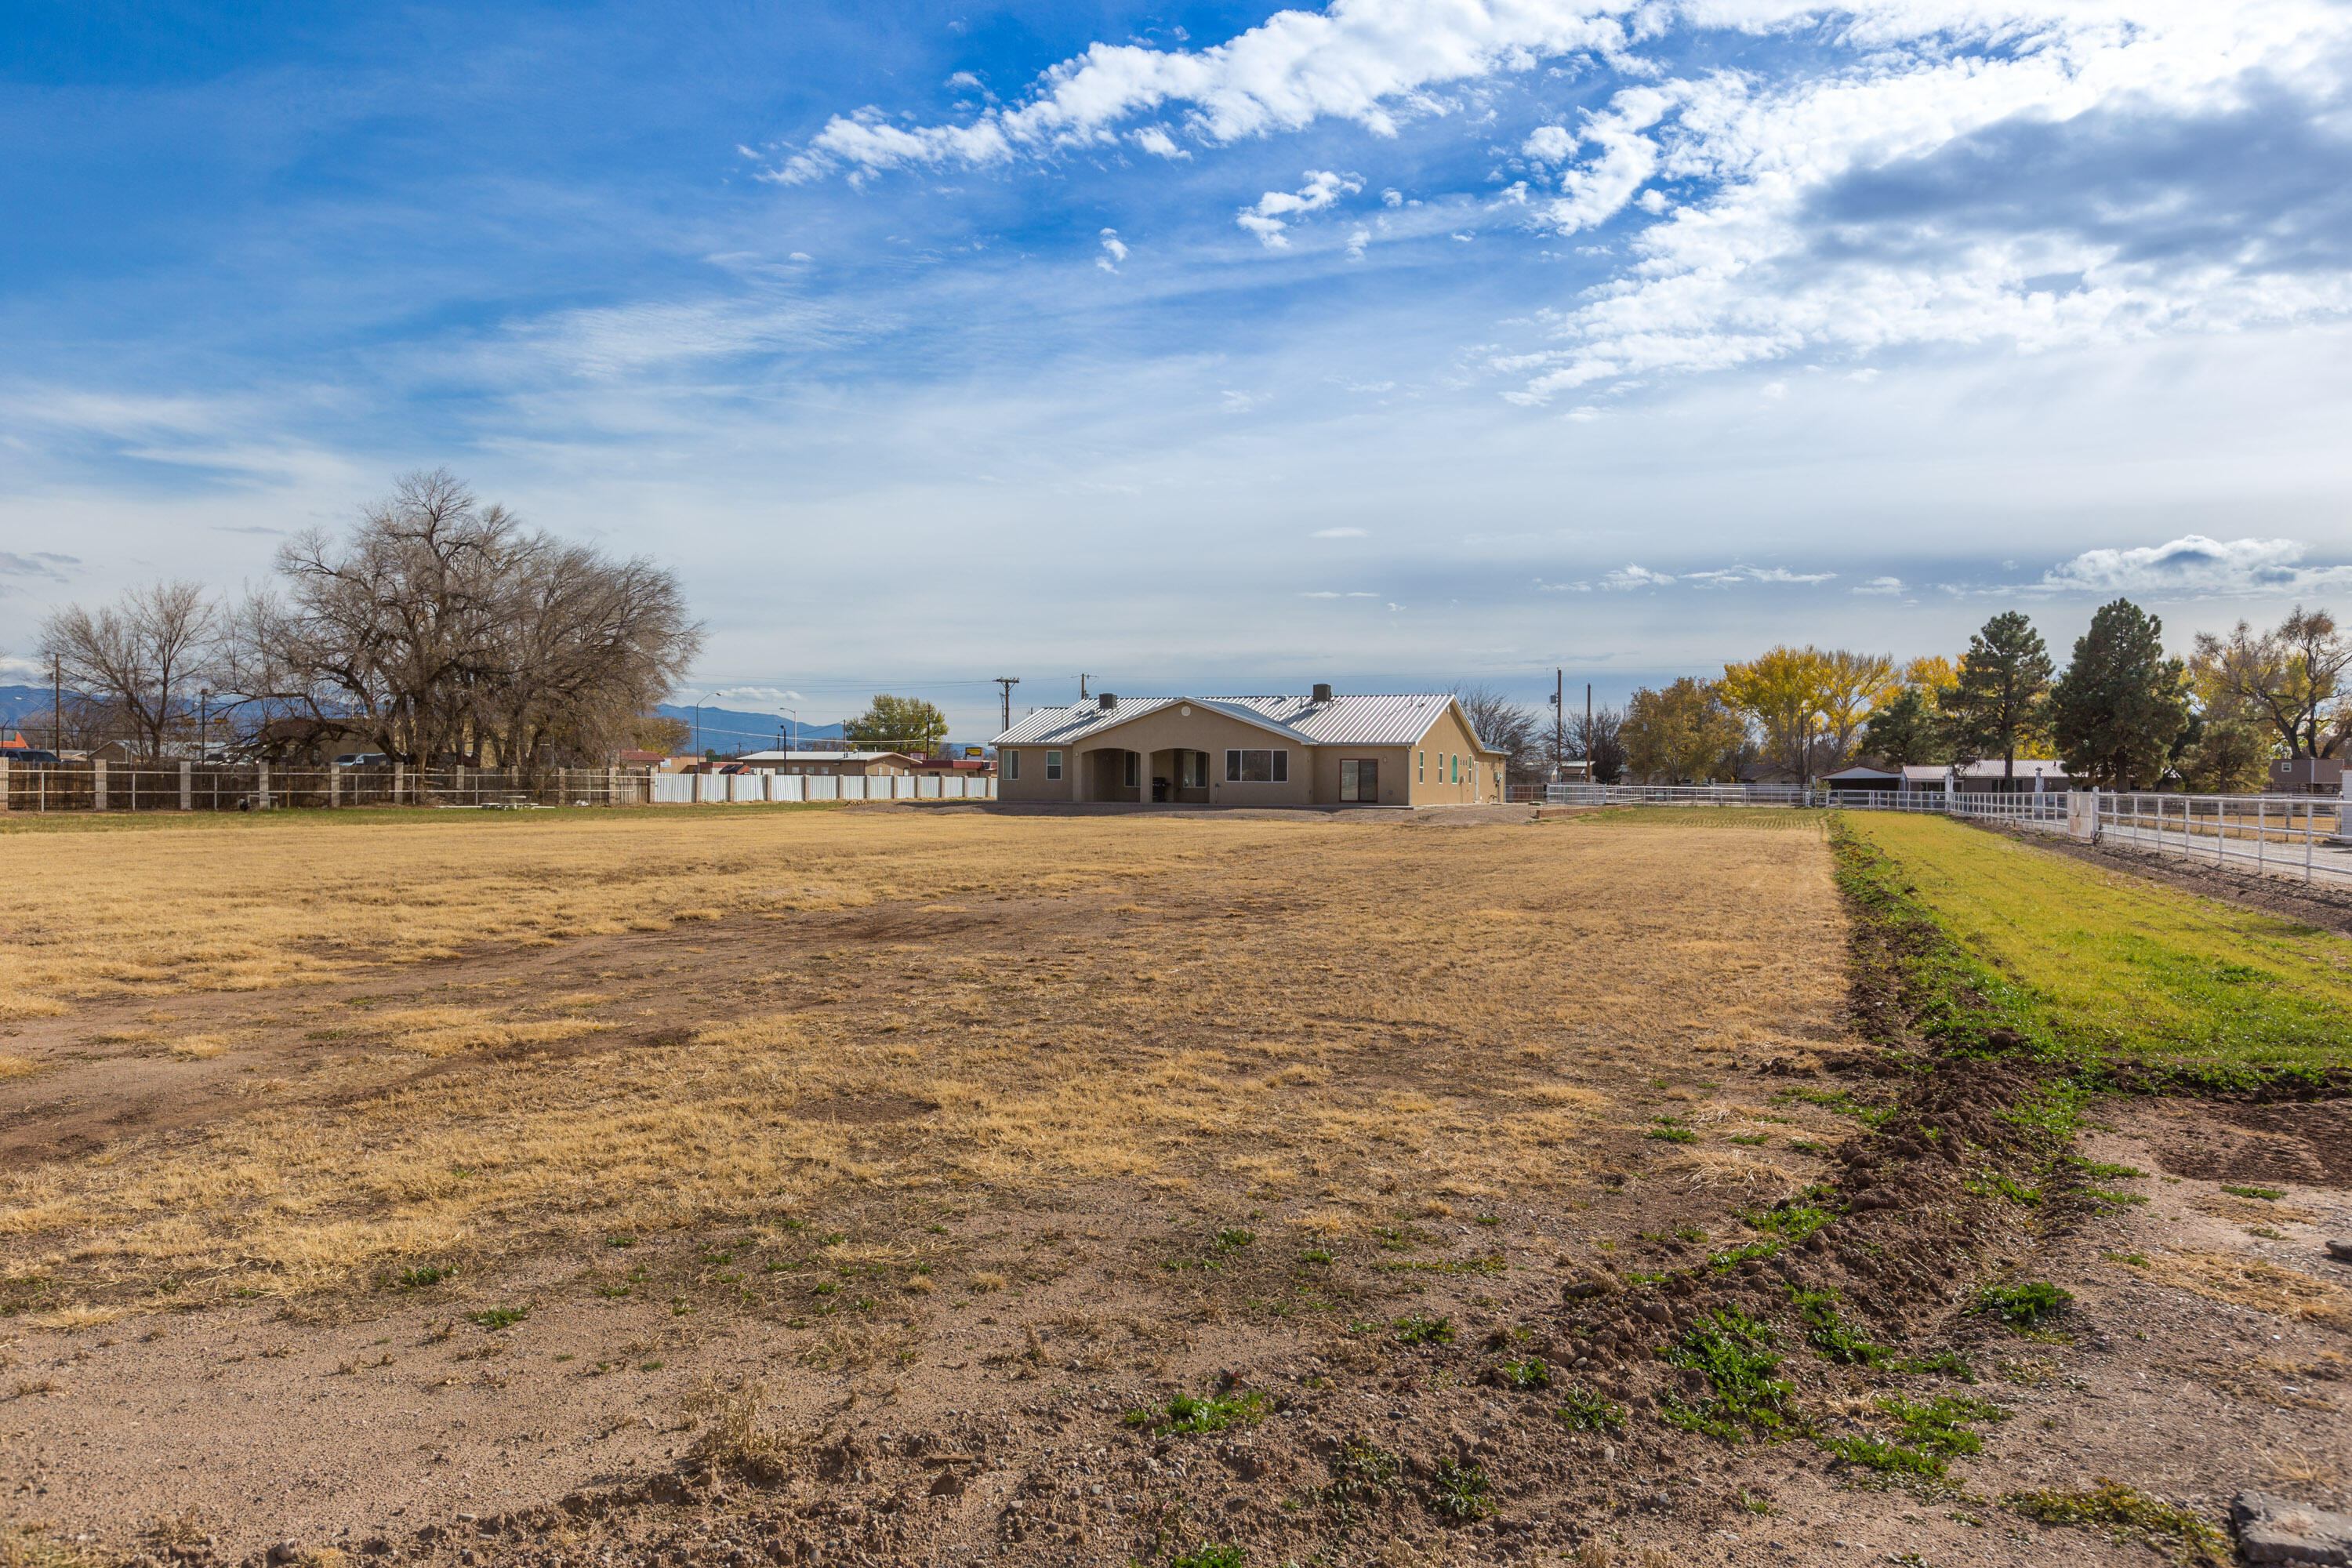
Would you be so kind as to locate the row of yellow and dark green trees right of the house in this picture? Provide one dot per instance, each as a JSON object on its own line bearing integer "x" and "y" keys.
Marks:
{"x": 2120, "y": 716}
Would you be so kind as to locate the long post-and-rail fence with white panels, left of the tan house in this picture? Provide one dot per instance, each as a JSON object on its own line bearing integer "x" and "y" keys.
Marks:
{"x": 218, "y": 786}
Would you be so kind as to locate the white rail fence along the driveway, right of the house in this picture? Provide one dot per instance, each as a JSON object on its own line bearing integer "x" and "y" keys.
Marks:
{"x": 2278, "y": 836}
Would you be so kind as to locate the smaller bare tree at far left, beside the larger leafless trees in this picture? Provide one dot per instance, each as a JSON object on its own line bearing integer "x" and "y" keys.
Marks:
{"x": 140, "y": 657}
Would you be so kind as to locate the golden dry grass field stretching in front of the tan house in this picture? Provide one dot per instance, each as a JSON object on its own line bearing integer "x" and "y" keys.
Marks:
{"x": 1311, "y": 1010}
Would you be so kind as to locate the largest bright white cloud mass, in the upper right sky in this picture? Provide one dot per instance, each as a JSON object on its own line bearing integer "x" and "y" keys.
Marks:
{"x": 1791, "y": 248}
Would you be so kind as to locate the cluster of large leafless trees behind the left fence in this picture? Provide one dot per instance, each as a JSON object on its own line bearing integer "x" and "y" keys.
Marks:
{"x": 434, "y": 629}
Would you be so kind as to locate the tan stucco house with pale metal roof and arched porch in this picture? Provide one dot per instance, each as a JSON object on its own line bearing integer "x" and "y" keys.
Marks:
{"x": 1252, "y": 751}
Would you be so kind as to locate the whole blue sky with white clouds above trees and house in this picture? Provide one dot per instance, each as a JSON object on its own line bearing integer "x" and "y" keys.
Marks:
{"x": 1394, "y": 344}
